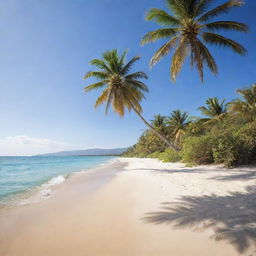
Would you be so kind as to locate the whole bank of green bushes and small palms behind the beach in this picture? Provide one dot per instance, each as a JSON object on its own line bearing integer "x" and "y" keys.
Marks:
{"x": 231, "y": 140}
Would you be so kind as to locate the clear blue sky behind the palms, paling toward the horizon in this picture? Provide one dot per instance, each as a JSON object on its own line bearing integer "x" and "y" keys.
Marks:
{"x": 45, "y": 49}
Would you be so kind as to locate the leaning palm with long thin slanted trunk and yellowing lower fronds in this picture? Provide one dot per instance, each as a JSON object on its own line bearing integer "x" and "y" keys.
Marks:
{"x": 121, "y": 89}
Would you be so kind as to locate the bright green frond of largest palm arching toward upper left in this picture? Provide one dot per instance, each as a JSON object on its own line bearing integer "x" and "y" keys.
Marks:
{"x": 161, "y": 17}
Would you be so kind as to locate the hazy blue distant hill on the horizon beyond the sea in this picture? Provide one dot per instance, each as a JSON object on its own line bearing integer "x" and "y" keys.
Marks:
{"x": 88, "y": 152}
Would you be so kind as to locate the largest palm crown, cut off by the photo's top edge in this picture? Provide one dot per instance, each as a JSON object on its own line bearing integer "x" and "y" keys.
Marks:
{"x": 187, "y": 31}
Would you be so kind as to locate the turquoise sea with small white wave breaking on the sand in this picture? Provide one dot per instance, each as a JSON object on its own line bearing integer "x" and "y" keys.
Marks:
{"x": 21, "y": 174}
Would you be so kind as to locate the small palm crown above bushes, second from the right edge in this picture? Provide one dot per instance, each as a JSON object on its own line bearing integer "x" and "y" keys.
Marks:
{"x": 214, "y": 109}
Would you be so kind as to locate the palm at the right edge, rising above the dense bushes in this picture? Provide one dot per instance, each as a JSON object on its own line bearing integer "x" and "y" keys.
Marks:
{"x": 245, "y": 107}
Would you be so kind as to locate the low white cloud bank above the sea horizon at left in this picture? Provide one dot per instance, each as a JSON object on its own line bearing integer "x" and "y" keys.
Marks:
{"x": 23, "y": 145}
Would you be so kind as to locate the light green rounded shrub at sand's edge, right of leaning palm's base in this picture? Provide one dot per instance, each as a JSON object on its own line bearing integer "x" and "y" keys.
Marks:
{"x": 197, "y": 150}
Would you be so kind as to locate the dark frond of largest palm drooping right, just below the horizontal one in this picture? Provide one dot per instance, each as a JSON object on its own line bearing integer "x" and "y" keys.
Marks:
{"x": 217, "y": 39}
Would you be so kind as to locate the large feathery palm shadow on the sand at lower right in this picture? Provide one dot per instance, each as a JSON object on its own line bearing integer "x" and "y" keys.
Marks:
{"x": 232, "y": 217}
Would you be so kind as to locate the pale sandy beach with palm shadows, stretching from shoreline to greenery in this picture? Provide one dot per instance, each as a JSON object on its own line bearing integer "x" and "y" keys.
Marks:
{"x": 139, "y": 207}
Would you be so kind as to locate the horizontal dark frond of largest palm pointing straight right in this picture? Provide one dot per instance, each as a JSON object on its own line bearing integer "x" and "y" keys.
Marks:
{"x": 227, "y": 25}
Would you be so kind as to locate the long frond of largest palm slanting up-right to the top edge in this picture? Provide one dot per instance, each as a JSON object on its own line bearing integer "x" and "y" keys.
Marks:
{"x": 224, "y": 8}
